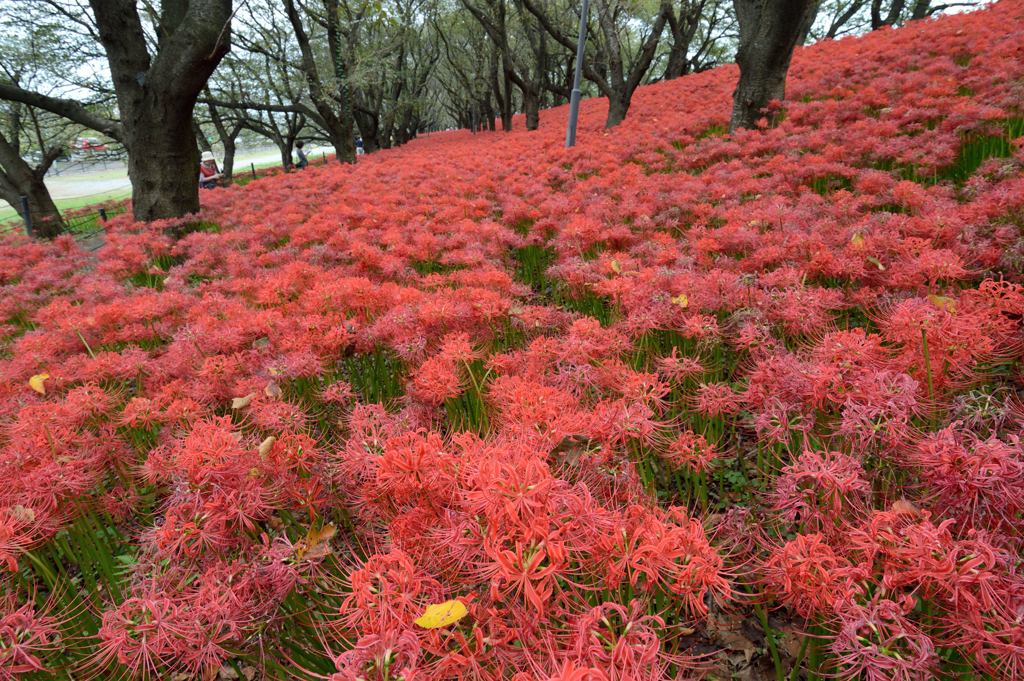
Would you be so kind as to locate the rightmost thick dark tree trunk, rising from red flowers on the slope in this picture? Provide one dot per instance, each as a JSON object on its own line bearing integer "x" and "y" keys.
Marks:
{"x": 769, "y": 33}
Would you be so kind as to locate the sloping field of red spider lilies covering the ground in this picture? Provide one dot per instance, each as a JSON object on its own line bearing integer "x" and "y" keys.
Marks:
{"x": 669, "y": 404}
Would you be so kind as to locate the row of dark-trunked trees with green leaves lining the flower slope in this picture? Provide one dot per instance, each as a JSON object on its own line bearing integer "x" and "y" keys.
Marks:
{"x": 165, "y": 80}
